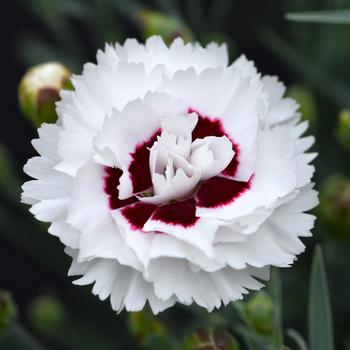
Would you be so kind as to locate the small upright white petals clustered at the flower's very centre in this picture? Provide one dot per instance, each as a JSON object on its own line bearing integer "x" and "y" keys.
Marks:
{"x": 177, "y": 164}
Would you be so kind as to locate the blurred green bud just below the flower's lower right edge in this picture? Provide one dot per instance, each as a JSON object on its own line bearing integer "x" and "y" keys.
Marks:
{"x": 260, "y": 313}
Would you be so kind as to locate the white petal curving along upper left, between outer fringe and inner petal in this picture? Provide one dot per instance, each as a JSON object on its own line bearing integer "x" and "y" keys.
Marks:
{"x": 99, "y": 90}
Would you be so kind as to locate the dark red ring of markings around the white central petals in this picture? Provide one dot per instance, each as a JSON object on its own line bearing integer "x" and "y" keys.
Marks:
{"x": 212, "y": 193}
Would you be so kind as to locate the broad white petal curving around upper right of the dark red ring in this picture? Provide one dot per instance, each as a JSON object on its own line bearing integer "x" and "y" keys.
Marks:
{"x": 225, "y": 95}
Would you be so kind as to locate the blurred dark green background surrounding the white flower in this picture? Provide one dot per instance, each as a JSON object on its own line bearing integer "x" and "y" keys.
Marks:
{"x": 41, "y": 309}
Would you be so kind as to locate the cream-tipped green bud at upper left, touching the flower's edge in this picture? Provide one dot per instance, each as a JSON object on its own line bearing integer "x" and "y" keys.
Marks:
{"x": 39, "y": 90}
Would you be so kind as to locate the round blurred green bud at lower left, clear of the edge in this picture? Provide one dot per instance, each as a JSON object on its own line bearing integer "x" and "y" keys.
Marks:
{"x": 47, "y": 315}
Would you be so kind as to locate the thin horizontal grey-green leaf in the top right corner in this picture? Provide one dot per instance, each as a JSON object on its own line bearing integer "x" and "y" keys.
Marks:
{"x": 335, "y": 17}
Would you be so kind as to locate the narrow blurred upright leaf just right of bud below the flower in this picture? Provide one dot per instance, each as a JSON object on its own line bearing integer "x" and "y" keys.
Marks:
{"x": 274, "y": 288}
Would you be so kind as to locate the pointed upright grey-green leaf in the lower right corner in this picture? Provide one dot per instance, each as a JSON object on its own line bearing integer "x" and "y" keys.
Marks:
{"x": 320, "y": 318}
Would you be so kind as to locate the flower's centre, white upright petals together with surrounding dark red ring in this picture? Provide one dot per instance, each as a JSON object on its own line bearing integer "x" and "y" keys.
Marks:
{"x": 173, "y": 171}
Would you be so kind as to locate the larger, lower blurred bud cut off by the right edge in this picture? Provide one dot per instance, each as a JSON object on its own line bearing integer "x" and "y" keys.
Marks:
{"x": 335, "y": 206}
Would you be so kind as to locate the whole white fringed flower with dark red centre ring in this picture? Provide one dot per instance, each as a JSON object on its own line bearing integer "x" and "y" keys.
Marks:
{"x": 172, "y": 176}
